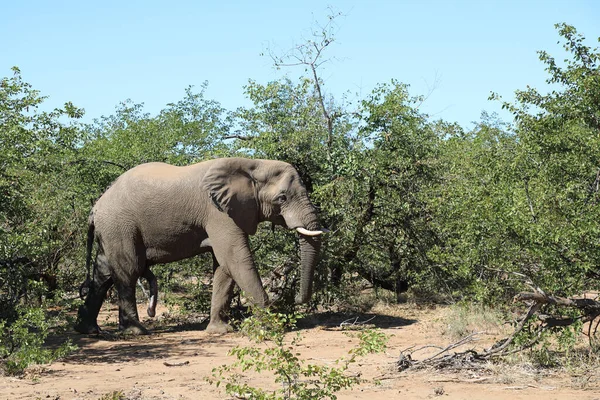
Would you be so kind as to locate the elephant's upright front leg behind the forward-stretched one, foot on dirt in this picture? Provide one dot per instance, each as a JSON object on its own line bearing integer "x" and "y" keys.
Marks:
{"x": 221, "y": 298}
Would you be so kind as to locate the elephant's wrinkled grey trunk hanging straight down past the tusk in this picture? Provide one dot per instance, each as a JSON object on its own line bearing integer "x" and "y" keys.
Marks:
{"x": 309, "y": 254}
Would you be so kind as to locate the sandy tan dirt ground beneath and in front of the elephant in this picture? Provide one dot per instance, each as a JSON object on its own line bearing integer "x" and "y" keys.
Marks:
{"x": 173, "y": 362}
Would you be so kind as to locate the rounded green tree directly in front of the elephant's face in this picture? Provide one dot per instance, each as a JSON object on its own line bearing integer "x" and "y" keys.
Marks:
{"x": 380, "y": 209}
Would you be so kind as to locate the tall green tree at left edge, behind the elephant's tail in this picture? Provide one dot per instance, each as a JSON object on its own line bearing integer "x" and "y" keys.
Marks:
{"x": 39, "y": 214}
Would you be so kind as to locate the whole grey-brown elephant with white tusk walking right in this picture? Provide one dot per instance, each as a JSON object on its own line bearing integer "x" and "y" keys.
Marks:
{"x": 158, "y": 213}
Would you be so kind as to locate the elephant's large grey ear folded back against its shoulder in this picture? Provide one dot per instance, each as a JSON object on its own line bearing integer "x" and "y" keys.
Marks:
{"x": 232, "y": 189}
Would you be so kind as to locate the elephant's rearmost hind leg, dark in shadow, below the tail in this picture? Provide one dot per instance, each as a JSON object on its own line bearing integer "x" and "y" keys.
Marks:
{"x": 88, "y": 312}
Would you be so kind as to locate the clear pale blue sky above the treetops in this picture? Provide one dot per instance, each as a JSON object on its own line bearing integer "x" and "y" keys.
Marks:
{"x": 97, "y": 54}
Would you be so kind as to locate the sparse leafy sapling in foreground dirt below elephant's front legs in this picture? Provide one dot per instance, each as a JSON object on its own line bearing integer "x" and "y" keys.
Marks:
{"x": 298, "y": 380}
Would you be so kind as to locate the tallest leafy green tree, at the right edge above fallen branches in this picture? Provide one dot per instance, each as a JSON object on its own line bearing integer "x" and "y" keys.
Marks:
{"x": 559, "y": 167}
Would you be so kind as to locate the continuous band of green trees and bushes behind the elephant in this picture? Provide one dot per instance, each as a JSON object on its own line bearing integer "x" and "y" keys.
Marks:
{"x": 411, "y": 203}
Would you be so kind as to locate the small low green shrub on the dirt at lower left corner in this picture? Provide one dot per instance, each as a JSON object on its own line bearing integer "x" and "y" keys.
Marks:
{"x": 21, "y": 343}
